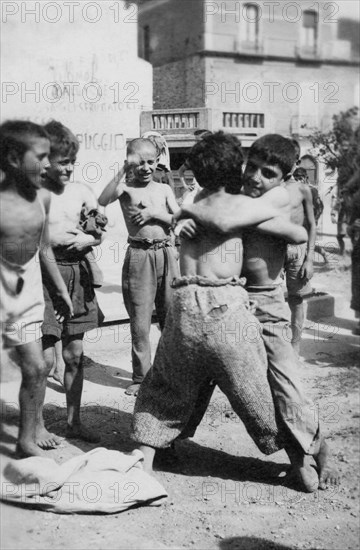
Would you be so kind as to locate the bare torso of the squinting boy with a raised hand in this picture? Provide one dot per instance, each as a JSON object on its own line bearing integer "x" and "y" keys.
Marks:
{"x": 151, "y": 195}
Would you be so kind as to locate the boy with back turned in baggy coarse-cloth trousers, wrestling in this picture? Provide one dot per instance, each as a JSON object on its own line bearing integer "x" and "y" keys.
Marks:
{"x": 208, "y": 302}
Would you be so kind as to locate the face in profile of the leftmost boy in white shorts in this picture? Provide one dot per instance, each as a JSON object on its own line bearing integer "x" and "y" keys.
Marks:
{"x": 35, "y": 161}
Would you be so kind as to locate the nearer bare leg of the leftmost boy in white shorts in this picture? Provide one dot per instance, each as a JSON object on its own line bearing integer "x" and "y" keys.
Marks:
{"x": 31, "y": 397}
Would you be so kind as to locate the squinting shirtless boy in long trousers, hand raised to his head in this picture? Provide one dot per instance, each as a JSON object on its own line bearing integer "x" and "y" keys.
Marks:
{"x": 150, "y": 262}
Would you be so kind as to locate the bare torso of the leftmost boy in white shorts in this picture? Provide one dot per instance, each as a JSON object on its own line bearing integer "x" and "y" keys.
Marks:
{"x": 21, "y": 225}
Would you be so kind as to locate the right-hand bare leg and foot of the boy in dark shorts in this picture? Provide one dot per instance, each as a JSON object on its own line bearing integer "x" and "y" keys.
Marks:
{"x": 73, "y": 381}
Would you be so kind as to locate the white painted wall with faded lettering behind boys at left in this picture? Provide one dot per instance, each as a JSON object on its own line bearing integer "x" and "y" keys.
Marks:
{"x": 77, "y": 62}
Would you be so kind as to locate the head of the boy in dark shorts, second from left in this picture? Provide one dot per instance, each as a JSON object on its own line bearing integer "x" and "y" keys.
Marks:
{"x": 64, "y": 147}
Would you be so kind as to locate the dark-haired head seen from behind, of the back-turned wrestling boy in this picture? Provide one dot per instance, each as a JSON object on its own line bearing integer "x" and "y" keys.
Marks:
{"x": 216, "y": 161}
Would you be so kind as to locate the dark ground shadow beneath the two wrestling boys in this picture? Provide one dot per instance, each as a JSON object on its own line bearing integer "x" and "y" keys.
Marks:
{"x": 192, "y": 459}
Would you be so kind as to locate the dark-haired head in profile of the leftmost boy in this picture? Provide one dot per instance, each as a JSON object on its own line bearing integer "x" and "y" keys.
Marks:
{"x": 24, "y": 150}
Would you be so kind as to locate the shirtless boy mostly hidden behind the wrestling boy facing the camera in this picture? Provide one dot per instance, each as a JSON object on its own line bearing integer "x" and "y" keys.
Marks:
{"x": 299, "y": 258}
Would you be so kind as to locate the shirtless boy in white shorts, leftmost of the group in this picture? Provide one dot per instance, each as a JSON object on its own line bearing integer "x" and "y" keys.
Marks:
{"x": 24, "y": 150}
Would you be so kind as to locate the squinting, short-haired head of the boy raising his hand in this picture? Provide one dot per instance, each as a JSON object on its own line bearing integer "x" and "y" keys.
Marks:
{"x": 141, "y": 157}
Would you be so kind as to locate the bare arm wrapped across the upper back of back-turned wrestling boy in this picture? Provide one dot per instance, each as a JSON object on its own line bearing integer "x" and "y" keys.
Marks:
{"x": 242, "y": 212}
